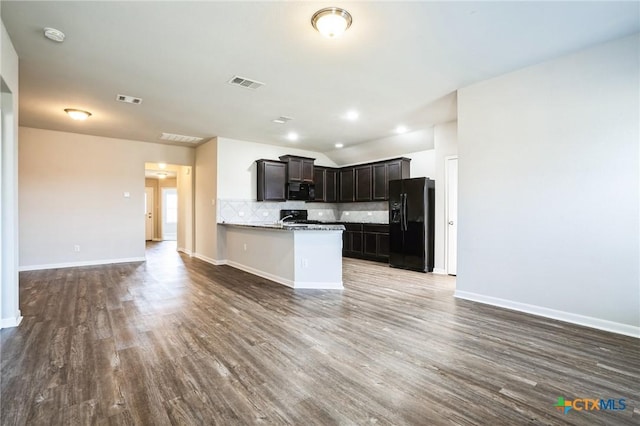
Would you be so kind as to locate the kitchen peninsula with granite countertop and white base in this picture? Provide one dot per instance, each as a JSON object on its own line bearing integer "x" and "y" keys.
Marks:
{"x": 301, "y": 256}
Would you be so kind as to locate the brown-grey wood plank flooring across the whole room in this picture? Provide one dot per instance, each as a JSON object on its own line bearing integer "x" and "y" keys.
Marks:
{"x": 177, "y": 341}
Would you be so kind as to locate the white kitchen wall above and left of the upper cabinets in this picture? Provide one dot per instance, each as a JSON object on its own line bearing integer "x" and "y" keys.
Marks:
{"x": 237, "y": 175}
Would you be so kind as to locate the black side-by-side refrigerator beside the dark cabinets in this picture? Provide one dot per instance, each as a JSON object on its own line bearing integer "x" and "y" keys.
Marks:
{"x": 411, "y": 223}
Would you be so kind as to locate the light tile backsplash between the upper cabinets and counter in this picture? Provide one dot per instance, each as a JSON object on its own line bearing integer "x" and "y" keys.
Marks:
{"x": 251, "y": 211}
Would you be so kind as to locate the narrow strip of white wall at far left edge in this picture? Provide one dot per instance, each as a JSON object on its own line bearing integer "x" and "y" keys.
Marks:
{"x": 9, "y": 303}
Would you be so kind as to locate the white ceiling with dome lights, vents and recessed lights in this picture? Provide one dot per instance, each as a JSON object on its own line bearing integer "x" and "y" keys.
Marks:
{"x": 399, "y": 63}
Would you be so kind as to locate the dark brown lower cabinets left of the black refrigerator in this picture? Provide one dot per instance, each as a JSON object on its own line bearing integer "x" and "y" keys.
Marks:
{"x": 366, "y": 241}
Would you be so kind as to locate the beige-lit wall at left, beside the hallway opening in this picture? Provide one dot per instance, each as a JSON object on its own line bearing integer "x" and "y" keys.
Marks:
{"x": 72, "y": 193}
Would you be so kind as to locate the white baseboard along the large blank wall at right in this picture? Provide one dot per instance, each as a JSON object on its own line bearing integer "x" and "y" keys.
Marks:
{"x": 600, "y": 324}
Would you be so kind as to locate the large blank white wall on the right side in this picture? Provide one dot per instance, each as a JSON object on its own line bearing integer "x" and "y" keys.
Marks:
{"x": 549, "y": 188}
